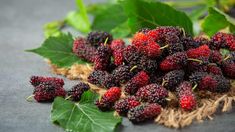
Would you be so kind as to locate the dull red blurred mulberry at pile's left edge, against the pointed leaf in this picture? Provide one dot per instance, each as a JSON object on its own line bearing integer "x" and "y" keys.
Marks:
{"x": 84, "y": 50}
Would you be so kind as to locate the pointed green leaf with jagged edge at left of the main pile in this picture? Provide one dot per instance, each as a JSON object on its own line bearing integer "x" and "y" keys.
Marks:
{"x": 58, "y": 50}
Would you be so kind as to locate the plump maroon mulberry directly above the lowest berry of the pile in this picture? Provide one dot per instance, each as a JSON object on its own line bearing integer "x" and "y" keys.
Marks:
{"x": 153, "y": 93}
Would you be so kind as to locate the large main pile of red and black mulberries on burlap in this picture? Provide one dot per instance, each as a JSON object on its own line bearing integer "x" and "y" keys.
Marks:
{"x": 157, "y": 61}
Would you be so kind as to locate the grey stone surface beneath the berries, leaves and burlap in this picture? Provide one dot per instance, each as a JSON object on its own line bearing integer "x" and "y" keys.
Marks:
{"x": 21, "y": 24}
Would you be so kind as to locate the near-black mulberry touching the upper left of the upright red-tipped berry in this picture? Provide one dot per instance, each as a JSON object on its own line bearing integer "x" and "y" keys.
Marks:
{"x": 172, "y": 79}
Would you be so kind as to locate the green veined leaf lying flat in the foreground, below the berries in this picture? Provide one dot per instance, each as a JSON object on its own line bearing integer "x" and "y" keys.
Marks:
{"x": 83, "y": 116}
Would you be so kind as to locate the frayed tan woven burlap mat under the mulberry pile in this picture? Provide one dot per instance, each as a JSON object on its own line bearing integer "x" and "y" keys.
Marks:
{"x": 171, "y": 116}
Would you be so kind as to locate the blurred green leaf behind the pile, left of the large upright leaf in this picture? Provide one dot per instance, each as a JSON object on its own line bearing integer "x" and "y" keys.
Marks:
{"x": 108, "y": 18}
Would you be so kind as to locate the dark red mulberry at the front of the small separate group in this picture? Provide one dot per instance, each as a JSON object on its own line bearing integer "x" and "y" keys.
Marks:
{"x": 46, "y": 92}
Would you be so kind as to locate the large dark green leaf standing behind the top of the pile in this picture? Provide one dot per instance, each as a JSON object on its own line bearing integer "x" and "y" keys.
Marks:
{"x": 151, "y": 14}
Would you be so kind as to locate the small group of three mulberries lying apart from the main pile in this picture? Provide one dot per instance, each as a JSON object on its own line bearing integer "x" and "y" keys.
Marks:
{"x": 47, "y": 88}
